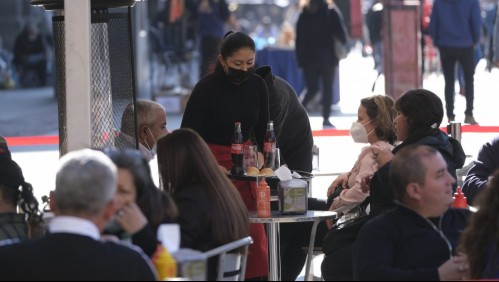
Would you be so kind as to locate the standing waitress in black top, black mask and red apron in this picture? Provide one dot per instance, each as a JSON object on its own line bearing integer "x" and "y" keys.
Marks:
{"x": 231, "y": 93}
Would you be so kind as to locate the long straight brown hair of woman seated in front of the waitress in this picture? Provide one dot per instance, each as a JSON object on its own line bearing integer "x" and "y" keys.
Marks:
{"x": 184, "y": 159}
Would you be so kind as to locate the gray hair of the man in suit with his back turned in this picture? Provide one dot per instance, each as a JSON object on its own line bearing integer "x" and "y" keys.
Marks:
{"x": 85, "y": 182}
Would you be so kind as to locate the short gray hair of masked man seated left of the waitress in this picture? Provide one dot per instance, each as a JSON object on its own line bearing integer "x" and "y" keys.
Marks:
{"x": 145, "y": 116}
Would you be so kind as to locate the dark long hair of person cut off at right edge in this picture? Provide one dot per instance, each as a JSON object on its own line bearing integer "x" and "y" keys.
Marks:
{"x": 480, "y": 238}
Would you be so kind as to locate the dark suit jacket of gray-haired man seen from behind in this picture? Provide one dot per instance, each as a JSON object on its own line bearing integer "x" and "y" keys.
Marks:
{"x": 66, "y": 257}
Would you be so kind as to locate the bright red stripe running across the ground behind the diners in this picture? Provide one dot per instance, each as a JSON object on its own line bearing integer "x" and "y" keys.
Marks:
{"x": 54, "y": 140}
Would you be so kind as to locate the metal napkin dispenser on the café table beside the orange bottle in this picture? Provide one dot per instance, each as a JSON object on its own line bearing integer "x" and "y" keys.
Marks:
{"x": 293, "y": 196}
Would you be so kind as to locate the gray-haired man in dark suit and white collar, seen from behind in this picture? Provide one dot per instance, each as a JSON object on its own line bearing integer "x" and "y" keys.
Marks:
{"x": 83, "y": 203}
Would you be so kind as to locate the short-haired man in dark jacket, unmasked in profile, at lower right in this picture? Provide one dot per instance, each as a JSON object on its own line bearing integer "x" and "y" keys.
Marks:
{"x": 416, "y": 239}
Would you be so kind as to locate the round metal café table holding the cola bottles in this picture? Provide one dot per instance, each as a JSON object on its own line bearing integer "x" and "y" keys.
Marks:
{"x": 272, "y": 224}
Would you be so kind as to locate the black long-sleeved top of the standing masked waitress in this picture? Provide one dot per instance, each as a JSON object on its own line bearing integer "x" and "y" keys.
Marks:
{"x": 216, "y": 103}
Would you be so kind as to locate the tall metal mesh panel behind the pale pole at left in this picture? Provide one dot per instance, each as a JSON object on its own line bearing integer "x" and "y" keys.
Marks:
{"x": 111, "y": 80}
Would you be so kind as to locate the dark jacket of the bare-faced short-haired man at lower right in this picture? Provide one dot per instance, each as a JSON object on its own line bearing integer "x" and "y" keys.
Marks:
{"x": 401, "y": 245}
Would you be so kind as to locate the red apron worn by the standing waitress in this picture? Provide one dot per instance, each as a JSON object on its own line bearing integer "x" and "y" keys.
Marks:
{"x": 257, "y": 263}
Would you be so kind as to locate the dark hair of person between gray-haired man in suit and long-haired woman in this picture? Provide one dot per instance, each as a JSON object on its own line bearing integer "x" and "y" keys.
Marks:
{"x": 156, "y": 206}
